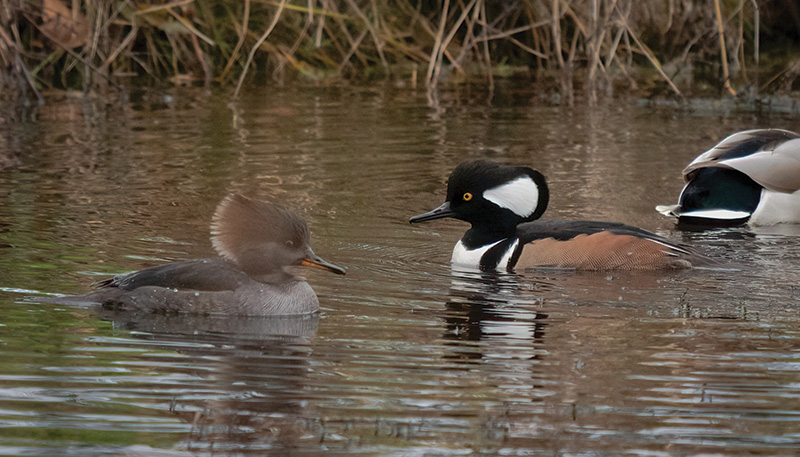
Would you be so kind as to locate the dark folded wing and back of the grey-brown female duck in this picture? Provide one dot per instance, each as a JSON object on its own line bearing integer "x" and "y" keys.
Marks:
{"x": 199, "y": 274}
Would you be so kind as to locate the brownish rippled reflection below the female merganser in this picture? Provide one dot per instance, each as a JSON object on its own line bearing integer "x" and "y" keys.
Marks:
{"x": 244, "y": 376}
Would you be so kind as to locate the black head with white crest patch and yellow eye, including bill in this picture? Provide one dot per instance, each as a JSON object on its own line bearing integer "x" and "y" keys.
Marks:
{"x": 486, "y": 193}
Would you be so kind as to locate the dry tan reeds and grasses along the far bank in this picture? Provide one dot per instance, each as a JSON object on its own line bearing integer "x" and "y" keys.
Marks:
{"x": 583, "y": 47}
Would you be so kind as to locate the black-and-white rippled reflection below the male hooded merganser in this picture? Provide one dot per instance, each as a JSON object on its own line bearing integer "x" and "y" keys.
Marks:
{"x": 495, "y": 326}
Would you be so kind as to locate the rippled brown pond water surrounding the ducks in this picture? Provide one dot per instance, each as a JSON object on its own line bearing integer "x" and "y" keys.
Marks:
{"x": 406, "y": 358}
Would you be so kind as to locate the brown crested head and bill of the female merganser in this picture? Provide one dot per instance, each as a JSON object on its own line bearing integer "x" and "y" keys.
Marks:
{"x": 262, "y": 238}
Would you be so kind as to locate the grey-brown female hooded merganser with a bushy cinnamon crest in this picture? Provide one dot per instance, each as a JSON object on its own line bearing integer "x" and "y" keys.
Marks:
{"x": 255, "y": 241}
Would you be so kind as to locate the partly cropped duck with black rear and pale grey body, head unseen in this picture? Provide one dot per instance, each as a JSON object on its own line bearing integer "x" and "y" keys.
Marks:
{"x": 750, "y": 177}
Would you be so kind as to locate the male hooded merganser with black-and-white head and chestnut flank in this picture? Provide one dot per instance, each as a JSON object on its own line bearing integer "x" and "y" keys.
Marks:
{"x": 502, "y": 202}
